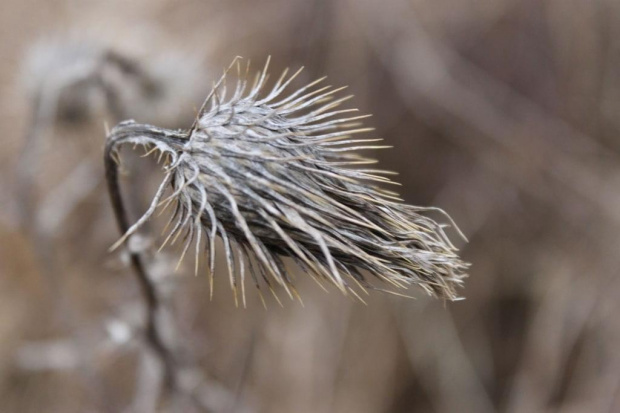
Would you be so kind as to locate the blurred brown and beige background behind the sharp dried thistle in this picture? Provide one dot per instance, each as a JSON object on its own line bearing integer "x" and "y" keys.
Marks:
{"x": 504, "y": 113}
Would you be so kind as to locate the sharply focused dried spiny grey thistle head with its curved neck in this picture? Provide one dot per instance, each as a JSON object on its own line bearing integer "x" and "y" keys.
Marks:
{"x": 275, "y": 175}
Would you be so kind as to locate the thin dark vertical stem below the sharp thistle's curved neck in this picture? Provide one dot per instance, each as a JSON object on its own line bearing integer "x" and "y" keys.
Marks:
{"x": 147, "y": 287}
